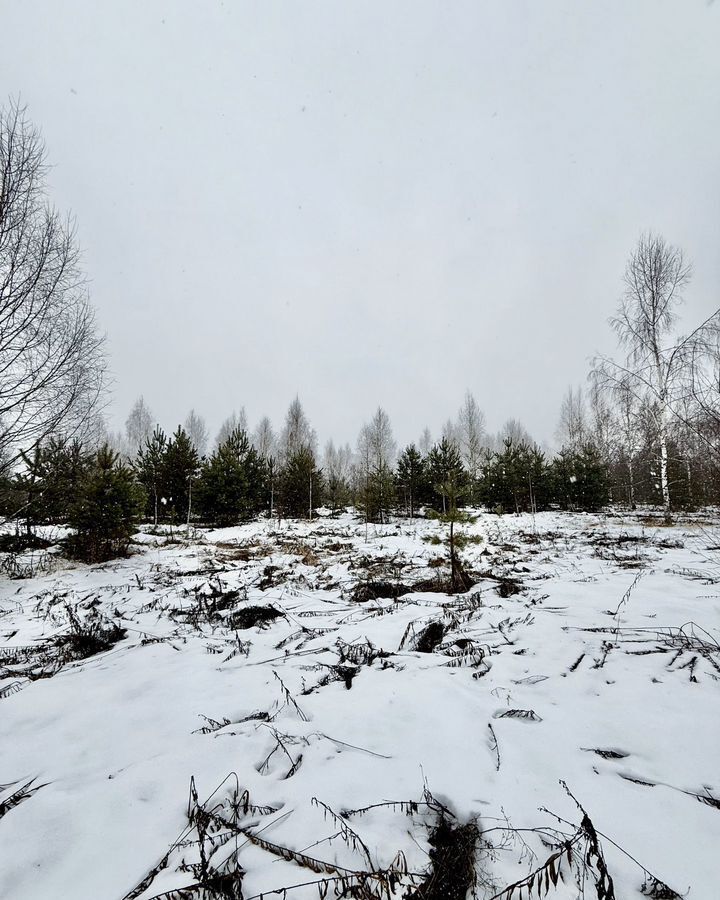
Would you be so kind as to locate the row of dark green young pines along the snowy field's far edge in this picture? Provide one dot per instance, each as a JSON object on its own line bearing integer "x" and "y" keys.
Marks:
{"x": 102, "y": 492}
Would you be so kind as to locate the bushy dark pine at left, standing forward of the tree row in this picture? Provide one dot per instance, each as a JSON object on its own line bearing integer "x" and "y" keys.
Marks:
{"x": 108, "y": 500}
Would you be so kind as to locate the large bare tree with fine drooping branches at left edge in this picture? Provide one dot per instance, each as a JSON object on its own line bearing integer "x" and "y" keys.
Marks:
{"x": 52, "y": 364}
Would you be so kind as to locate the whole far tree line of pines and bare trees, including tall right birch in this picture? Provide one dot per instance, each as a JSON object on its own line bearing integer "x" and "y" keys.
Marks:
{"x": 646, "y": 430}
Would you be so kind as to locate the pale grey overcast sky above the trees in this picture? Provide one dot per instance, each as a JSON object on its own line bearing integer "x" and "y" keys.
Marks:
{"x": 369, "y": 202}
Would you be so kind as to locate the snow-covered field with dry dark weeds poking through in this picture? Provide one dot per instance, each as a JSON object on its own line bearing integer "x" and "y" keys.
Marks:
{"x": 585, "y": 661}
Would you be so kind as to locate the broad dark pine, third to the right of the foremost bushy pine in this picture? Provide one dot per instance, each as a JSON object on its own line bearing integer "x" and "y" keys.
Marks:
{"x": 231, "y": 487}
